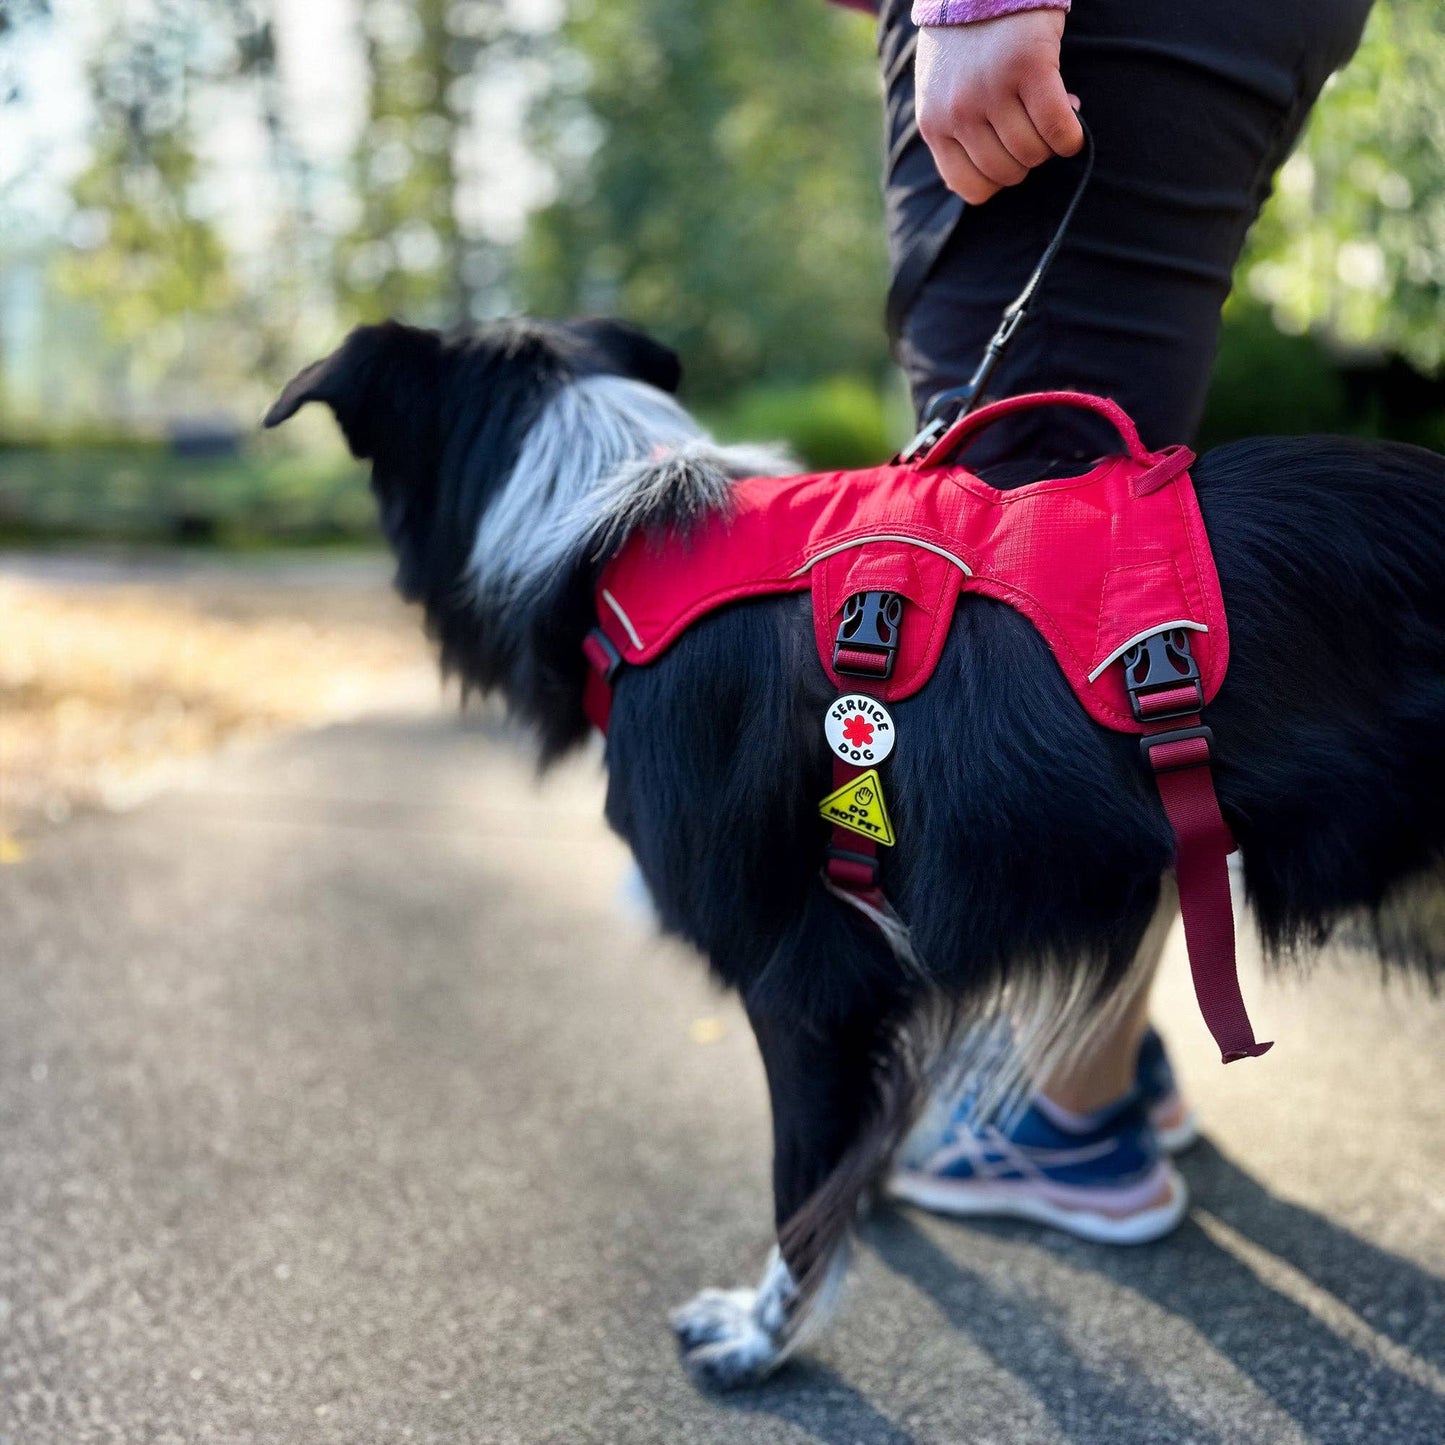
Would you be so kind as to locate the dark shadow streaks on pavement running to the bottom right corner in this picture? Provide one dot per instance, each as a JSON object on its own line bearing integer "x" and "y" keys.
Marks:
{"x": 1334, "y": 1389}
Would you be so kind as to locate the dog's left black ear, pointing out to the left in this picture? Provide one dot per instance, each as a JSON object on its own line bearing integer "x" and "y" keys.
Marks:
{"x": 372, "y": 382}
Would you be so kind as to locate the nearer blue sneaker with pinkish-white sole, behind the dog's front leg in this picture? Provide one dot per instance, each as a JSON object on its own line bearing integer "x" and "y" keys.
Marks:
{"x": 1100, "y": 1177}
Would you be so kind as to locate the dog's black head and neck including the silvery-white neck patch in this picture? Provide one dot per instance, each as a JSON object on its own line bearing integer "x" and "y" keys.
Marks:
{"x": 486, "y": 452}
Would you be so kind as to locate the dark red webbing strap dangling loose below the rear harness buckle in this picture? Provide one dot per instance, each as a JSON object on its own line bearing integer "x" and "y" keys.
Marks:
{"x": 1203, "y": 846}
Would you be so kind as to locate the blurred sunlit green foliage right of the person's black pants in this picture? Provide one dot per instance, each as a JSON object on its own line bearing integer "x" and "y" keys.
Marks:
{"x": 1353, "y": 243}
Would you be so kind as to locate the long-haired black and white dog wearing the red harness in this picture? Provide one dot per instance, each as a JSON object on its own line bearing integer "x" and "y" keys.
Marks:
{"x": 509, "y": 463}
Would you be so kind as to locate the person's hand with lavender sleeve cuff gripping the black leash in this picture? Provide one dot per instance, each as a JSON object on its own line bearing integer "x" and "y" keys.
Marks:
{"x": 992, "y": 103}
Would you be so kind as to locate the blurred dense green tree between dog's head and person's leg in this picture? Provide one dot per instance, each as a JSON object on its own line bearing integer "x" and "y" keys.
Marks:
{"x": 717, "y": 171}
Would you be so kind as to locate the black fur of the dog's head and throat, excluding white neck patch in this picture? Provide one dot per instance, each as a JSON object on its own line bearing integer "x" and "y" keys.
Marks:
{"x": 441, "y": 421}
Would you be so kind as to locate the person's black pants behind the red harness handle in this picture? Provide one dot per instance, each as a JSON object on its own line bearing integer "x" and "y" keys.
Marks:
{"x": 1194, "y": 105}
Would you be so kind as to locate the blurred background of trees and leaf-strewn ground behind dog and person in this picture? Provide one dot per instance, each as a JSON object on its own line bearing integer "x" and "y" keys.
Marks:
{"x": 200, "y": 196}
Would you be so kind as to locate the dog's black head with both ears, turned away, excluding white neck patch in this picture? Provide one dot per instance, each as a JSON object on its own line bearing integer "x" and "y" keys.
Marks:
{"x": 443, "y": 420}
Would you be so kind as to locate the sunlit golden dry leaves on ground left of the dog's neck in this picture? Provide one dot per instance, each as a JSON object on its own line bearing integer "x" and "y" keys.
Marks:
{"x": 103, "y": 689}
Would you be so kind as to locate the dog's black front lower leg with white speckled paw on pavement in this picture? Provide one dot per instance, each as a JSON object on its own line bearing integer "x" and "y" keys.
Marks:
{"x": 830, "y": 1141}
